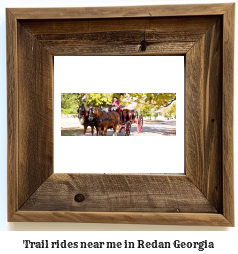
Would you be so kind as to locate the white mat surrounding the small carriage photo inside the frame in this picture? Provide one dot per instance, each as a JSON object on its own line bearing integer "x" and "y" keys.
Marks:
{"x": 108, "y": 74}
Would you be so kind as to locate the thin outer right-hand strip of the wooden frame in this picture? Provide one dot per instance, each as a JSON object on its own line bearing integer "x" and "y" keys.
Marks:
{"x": 227, "y": 113}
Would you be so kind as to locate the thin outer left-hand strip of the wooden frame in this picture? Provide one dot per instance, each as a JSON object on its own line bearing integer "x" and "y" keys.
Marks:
{"x": 12, "y": 114}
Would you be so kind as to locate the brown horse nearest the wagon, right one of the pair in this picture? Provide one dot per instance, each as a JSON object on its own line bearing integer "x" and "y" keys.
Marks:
{"x": 104, "y": 120}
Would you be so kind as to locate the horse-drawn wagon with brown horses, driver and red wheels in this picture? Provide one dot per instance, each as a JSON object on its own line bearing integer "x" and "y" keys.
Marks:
{"x": 116, "y": 119}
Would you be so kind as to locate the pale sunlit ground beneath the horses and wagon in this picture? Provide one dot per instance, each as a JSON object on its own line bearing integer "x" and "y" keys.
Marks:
{"x": 70, "y": 127}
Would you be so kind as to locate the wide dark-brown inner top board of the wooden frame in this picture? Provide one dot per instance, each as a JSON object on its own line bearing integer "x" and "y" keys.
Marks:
{"x": 173, "y": 36}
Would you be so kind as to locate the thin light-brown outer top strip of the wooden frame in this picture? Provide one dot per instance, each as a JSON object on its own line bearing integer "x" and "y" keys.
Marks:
{"x": 121, "y": 11}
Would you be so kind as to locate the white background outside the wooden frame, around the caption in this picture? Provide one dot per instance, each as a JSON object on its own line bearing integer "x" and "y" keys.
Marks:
{"x": 225, "y": 241}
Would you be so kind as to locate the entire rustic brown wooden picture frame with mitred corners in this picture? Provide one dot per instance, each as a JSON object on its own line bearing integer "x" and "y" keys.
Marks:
{"x": 204, "y": 34}
